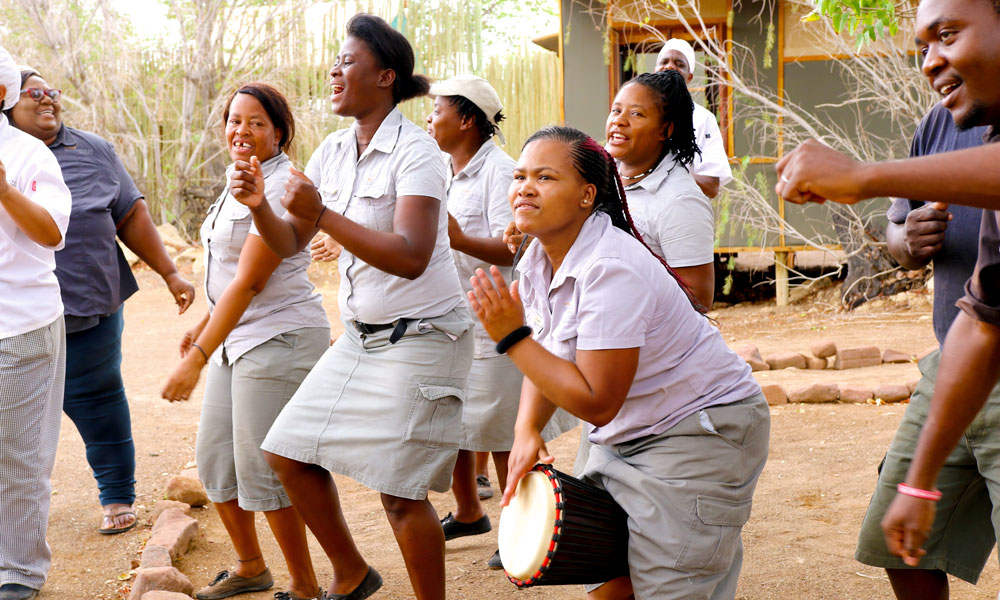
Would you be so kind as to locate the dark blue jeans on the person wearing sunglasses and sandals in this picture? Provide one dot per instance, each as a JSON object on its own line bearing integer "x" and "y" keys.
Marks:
{"x": 95, "y": 401}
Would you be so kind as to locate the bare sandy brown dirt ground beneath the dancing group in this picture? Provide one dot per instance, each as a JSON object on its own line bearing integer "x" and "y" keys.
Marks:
{"x": 799, "y": 541}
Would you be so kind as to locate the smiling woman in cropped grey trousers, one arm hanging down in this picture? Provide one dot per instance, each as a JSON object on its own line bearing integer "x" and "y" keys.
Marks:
{"x": 265, "y": 329}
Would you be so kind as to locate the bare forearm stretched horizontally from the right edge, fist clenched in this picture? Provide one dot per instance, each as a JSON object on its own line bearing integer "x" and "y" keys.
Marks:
{"x": 973, "y": 178}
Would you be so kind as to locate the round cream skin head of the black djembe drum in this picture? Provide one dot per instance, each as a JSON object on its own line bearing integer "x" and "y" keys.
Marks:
{"x": 527, "y": 526}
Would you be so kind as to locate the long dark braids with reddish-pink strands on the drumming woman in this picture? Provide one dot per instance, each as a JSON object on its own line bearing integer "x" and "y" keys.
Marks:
{"x": 597, "y": 167}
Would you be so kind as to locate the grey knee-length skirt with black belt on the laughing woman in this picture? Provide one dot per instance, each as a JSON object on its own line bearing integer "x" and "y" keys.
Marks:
{"x": 387, "y": 415}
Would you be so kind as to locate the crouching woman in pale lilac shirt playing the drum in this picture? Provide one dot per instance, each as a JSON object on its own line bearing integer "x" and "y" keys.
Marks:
{"x": 678, "y": 424}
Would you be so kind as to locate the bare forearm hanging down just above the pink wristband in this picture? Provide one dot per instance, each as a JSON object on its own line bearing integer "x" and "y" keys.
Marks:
{"x": 966, "y": 374}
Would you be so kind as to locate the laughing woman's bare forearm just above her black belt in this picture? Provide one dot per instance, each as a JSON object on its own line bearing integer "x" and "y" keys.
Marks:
{"x": 387, "y": 251}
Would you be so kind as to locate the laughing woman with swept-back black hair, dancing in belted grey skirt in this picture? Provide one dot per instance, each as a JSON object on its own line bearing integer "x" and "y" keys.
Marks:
{"x": 384, "y": 404}
